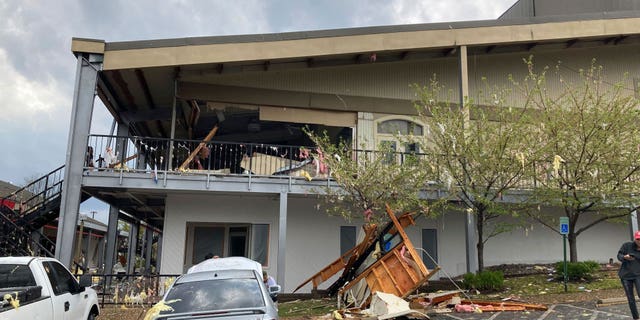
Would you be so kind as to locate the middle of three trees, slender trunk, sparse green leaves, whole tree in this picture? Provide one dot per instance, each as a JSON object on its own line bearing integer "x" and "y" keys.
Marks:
{"x": 477, "y": 152}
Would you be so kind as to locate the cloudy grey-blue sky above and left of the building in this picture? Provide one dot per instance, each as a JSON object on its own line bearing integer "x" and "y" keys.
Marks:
{"x": 37, "y": 68}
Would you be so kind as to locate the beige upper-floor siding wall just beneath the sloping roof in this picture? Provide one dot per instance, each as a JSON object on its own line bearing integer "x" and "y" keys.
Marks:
{"x": 393, "y": 80}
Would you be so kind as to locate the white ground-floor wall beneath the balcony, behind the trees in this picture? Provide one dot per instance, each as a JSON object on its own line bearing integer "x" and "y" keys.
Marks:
{"x": 313, "y": 238}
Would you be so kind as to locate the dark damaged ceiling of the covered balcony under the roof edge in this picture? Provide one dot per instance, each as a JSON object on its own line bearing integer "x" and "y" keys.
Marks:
{"x": 144, "y": 97}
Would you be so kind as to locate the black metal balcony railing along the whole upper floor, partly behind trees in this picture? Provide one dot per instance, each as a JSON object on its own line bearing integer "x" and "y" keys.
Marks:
{"x": 141, "y": 154}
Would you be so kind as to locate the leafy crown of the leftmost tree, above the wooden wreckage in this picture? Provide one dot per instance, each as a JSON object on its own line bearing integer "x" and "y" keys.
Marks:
{"x": 367, "y": 179}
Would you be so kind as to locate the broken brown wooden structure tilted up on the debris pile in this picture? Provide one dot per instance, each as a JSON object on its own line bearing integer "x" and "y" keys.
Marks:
{"x": 385, "y": 261}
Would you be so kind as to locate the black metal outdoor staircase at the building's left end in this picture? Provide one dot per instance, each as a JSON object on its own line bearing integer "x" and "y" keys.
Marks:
{"x": 25, "y": 211}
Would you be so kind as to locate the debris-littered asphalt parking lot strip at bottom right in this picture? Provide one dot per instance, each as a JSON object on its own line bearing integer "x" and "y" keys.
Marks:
{"x": 582, "y": 310}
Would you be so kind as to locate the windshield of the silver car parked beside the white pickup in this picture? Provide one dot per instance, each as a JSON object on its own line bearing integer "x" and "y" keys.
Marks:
{"x": 217, "y": 294}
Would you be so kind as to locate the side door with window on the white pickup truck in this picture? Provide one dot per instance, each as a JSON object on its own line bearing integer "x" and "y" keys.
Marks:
{"x": 67, "y": 300}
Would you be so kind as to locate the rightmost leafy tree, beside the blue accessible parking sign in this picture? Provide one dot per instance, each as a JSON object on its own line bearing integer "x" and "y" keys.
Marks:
{"x": 589, "y": 132}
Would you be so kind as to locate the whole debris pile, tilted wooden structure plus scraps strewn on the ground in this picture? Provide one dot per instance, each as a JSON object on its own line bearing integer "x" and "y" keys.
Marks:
{"x": 384, "y": 269}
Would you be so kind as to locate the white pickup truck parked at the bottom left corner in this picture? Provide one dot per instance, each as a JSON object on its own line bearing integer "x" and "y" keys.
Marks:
{"x": 37, "y": 288}
